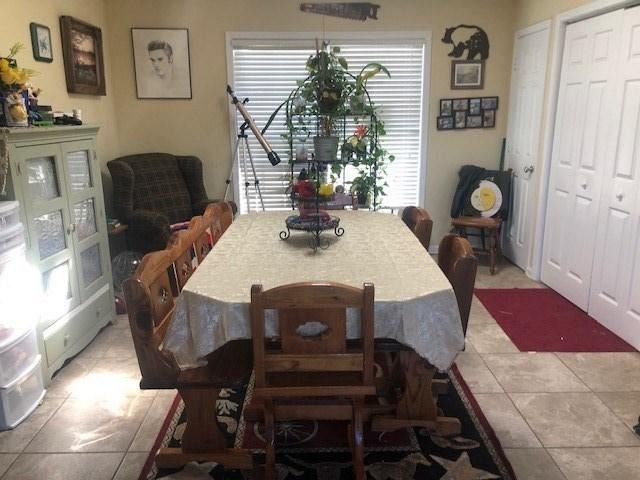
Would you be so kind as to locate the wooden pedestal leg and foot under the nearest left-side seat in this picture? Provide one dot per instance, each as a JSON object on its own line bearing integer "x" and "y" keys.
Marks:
{"x": 202, "y": 441}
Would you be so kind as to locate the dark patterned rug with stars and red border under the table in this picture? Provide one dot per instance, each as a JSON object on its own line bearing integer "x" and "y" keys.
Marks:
{"x": 308, "y": 450}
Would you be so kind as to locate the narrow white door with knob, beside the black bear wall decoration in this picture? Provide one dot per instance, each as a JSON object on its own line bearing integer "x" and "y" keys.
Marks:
{"x": 525, "y": 115}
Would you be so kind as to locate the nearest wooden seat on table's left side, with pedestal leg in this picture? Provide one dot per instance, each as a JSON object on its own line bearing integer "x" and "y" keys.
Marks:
{"x": 150, "y": 306}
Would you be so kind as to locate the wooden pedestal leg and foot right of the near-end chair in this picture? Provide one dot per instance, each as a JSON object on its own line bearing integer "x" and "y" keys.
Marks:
{"x": 416, "y": 406}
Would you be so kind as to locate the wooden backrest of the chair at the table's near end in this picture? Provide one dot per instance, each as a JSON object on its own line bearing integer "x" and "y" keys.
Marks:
{"x": 313, "y": 338}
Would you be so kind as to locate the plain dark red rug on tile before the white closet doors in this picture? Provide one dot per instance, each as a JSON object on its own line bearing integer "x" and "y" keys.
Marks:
{"x": 541, "y": 320}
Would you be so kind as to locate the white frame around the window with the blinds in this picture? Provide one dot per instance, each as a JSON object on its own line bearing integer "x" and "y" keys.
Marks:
{"x": 293, "y": 38}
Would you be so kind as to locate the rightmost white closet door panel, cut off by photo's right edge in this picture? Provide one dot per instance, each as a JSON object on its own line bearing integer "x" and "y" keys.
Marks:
{"x": 615, "y": 291}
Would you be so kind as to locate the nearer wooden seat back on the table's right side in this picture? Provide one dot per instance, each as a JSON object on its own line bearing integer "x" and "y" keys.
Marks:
{"x": 458, "y": 262}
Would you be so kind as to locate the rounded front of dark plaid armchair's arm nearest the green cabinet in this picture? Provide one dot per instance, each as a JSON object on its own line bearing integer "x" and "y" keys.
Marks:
{"x": 148, "y": 231}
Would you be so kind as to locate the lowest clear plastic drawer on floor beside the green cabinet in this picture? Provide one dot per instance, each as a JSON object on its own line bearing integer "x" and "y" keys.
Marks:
{"x": 21, "y": 397}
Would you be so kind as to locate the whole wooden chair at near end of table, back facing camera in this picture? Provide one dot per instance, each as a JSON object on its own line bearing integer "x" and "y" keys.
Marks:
{"x": 311, "y": 359}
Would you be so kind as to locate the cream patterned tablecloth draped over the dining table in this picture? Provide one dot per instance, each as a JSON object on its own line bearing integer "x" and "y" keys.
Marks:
{"x": 414, "y": 302}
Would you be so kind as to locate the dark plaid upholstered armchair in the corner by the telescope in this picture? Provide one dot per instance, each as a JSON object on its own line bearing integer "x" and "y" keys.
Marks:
{"x": 152, "y": 191}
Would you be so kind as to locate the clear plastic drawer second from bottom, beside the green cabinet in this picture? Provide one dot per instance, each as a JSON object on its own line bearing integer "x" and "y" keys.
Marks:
{"x": 18, "y": 351}
